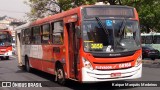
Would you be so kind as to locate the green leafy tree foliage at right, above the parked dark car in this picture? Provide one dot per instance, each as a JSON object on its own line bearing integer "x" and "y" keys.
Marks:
{"x": 149, "y": 13}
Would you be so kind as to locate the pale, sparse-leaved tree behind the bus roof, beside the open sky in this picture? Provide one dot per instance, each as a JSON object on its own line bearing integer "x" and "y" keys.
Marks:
{"x": 40, "y": 8}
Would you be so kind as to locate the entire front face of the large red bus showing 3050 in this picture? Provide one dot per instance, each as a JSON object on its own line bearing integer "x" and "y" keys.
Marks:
{"x": 111, "y": 43}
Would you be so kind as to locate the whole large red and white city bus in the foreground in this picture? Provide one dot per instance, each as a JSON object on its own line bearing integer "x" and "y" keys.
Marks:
{"x": 86, "y": 44}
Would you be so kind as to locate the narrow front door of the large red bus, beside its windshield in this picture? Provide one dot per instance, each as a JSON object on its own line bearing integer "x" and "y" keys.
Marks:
{"x": 73, "y": 49}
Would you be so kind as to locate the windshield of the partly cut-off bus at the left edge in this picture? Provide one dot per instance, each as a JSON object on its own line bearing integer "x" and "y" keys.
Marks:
{"x": 5, "y": 39}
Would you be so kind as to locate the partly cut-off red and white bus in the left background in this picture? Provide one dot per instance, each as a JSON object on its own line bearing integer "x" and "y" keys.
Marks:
{"x": 5, "y": 44}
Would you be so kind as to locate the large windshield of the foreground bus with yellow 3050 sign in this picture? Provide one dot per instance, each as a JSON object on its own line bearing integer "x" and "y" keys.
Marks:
{"x": 123, "y": 35}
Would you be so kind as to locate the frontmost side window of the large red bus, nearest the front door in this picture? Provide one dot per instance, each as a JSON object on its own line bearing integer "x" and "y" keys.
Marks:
{"x": 58, "y": 33}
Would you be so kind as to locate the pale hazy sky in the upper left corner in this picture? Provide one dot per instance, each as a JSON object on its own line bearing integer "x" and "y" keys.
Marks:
{"x": 14, "y": 8}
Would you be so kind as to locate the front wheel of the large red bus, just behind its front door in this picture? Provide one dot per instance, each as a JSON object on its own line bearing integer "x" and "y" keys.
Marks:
{"x": 60, "y": 76}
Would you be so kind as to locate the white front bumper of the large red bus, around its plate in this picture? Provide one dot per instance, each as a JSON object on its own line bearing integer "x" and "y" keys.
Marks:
{"x": 106, "y": 75}
